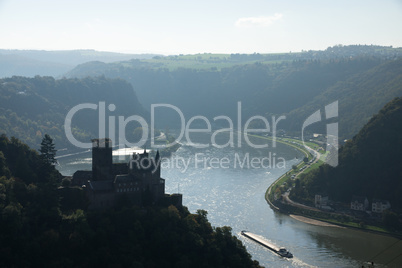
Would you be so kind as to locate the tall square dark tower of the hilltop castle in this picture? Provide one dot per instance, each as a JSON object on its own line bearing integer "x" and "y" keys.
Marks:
{"x": 102, "y": 163}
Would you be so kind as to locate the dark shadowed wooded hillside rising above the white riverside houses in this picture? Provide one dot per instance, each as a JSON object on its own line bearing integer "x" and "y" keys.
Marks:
{"x": 369, "y": 165}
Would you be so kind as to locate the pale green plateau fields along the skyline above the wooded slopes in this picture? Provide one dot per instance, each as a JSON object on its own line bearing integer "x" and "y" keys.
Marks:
{"x": 218, "y": 62}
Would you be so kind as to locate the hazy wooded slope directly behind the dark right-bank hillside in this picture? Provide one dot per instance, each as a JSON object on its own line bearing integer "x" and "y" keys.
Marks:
{"x": 359, "y": 98}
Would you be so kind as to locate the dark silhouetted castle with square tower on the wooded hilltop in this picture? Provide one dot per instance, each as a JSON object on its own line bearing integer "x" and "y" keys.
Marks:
{"x": 138, "y": 181}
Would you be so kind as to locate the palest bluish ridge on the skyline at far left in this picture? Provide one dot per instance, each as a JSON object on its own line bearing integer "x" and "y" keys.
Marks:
{"x": 54, "y": 63}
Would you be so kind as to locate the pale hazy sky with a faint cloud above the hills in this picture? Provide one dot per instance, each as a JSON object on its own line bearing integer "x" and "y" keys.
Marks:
{"x": 187, "y": 26}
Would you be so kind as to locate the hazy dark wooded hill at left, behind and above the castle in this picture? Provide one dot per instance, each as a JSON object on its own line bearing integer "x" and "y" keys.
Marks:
{"x": 31, "y": 107}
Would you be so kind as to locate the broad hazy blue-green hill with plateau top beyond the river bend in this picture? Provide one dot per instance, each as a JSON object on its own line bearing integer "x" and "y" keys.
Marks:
{"x": 361, "y": 79}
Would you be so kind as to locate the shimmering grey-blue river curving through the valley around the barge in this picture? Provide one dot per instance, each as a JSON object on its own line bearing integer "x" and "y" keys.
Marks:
{"x": 230, "y": 184}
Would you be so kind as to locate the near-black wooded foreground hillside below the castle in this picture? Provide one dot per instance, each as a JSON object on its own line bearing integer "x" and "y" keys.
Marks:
{"x": 39, "y": 228}
